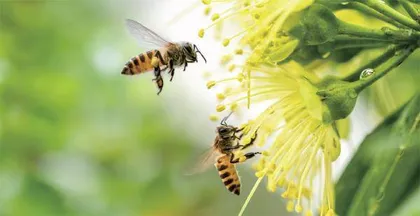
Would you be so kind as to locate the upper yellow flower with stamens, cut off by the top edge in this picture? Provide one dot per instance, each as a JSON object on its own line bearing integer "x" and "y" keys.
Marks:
{"x": 265, "y": 24}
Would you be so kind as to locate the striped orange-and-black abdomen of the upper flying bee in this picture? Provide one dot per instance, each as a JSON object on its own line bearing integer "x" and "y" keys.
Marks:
{"x": 141, "y": 63}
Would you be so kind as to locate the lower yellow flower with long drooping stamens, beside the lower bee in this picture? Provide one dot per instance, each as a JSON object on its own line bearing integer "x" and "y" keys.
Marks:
{"x": 301, "y": 144}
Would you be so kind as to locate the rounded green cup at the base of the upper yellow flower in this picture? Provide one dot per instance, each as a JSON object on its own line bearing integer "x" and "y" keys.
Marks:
{"x": 320, "y": 25}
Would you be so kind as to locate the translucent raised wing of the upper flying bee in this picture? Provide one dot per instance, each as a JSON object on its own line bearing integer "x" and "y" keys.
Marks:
{"x": 144, "y": 36}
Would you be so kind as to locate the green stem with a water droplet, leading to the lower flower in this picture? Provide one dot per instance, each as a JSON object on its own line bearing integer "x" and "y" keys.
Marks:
{"x": 399, "y": 57}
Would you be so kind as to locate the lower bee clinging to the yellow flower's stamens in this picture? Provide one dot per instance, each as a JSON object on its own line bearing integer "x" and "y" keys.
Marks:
{"x": 225, "y": 143}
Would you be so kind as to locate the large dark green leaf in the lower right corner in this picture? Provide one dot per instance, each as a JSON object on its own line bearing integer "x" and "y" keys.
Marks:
{"x": 384, "y": 170}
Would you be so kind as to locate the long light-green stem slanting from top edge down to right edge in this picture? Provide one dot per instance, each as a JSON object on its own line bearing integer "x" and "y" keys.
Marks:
{"x": 383, "y": 8}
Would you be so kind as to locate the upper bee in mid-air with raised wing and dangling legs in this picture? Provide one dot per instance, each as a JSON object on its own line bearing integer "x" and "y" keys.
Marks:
{"x": 166, "y": 55}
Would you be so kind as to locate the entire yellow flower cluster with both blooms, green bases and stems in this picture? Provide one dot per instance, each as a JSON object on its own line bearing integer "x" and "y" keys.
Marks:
{"x": 284, "y": 44}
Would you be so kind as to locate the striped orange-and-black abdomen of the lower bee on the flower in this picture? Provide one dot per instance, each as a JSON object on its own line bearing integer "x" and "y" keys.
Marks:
{"x": 228, "y": 174}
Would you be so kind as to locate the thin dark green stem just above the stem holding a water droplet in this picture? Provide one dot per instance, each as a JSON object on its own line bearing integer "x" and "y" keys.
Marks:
{"x": 374, "y": 63}
